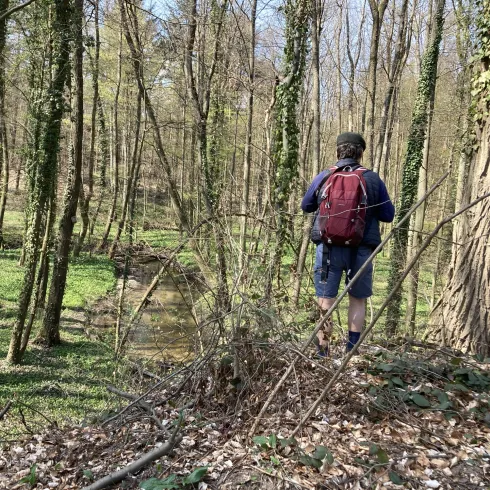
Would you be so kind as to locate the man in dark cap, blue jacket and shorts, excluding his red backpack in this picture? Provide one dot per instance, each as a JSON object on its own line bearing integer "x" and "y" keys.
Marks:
{"x": 332, "y": 260}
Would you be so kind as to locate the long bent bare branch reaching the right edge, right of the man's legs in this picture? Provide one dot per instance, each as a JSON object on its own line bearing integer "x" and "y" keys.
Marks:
{"x": 364, "y": 334}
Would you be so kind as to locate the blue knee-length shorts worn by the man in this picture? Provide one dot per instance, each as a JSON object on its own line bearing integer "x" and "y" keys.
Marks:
{"x": 340, "y": 261}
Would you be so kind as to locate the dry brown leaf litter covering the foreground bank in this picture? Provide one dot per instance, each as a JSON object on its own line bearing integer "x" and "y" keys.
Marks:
{"x": 392, "y": 421}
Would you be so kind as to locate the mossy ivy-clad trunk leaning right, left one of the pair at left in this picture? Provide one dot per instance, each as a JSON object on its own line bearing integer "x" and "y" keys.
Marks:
{"x": 42, "y": 168}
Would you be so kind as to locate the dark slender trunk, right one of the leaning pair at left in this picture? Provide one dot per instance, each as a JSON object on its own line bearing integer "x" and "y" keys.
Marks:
{"x": 50, "y": 333}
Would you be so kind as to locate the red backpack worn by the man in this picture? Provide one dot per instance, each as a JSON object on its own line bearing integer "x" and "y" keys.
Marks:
{"x": 343, "y": 204}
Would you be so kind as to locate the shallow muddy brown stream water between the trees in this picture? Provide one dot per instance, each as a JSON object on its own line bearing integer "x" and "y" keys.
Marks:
{"x": 166, "y": 330}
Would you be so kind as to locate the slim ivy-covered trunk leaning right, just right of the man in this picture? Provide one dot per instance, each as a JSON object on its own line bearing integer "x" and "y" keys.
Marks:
{"x": 413, "y": 161}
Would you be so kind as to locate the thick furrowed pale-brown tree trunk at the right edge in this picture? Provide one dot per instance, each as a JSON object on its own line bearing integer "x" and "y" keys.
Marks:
{"x": 461, "y": 318}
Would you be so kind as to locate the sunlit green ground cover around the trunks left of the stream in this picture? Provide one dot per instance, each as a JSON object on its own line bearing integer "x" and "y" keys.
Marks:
{"x": 66, "y": 382}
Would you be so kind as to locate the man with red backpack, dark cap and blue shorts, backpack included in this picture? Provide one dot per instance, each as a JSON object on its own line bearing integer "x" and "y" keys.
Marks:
{"x": 349, "y": 201}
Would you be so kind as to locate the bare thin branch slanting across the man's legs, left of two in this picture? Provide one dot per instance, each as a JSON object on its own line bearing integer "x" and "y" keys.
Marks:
{"x": 339, "y": 299}
